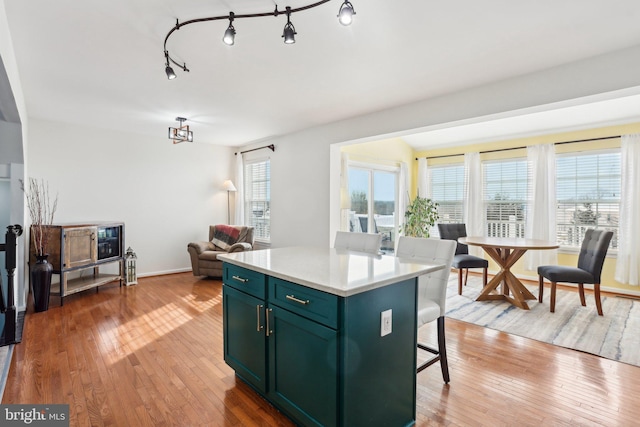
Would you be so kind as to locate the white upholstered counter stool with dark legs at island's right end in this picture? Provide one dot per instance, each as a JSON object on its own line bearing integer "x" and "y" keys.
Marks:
{"x": 432, "y": 290}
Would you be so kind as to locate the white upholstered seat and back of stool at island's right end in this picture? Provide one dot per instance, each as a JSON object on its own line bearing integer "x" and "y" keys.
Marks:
{"x": 432, "y": 287}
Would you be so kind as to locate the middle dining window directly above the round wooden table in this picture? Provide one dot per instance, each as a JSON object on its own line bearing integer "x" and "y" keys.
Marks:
{"x": 505, "y": 192}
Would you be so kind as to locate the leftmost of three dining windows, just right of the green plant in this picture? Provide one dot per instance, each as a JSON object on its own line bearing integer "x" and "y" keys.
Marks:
{"x": 447, "y": 189}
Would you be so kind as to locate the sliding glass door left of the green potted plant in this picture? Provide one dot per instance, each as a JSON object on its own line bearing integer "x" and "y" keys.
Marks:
{"x": 375, "y": 214}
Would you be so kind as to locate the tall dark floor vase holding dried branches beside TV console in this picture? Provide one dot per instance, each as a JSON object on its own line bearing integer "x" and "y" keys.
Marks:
{"x": 41, "y": 211}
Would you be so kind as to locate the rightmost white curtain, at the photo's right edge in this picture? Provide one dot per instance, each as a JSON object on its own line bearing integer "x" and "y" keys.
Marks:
{"x": 628, "y": 261}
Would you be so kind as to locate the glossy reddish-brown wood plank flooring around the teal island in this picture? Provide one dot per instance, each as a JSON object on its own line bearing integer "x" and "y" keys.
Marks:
{"x": 151, "y": 355}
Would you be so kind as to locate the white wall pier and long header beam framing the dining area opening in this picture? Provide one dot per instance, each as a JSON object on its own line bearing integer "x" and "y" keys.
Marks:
{"x": 304, "y": 168}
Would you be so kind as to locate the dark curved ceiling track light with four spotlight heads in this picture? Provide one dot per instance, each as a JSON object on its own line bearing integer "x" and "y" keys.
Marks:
{"x": 345, "y": 17}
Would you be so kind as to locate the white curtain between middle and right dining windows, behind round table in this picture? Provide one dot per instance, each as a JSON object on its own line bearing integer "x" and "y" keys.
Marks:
{"x": 541, "y": 215}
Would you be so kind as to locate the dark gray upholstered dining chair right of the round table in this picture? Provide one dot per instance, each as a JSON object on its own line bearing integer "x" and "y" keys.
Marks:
{"x": 592, "y": 253}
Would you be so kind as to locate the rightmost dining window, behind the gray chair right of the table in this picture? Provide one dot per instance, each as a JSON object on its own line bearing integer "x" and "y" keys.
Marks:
{"x": 588, "y": 192}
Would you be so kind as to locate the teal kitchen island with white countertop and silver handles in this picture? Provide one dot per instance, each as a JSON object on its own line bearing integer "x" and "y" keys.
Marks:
{"x": 304, "y": 327}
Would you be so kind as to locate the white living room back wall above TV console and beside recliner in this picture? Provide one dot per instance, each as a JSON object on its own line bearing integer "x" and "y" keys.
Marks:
{"x": 167, "y": 195}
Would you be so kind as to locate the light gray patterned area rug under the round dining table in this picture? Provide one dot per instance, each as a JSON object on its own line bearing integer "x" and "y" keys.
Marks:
{"x": 615, "y": 336}
